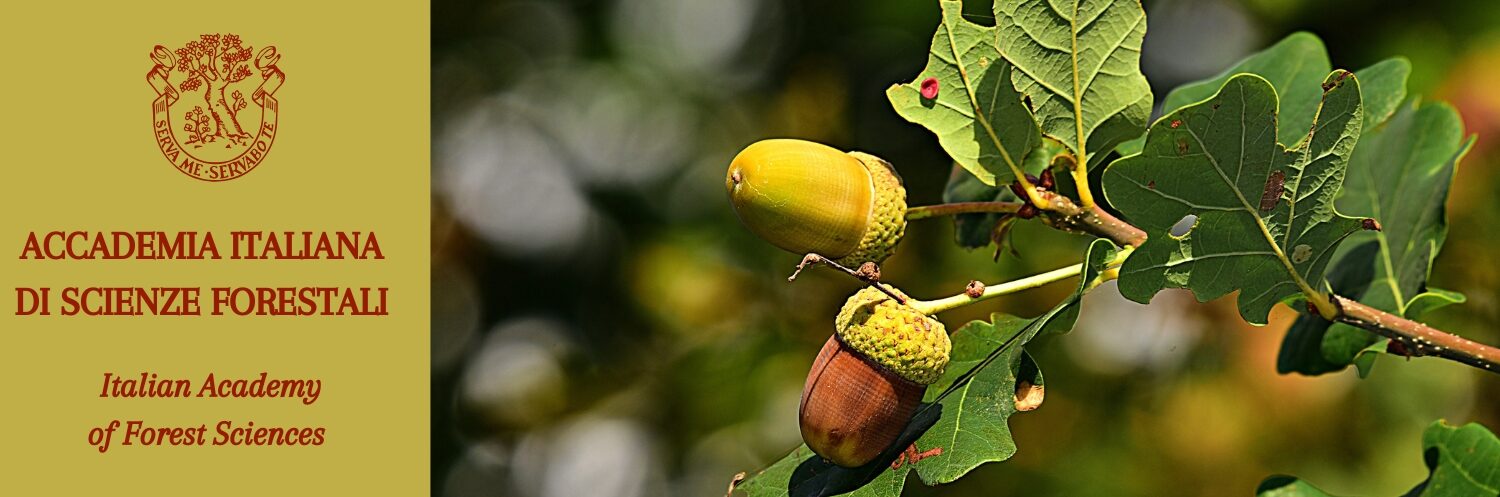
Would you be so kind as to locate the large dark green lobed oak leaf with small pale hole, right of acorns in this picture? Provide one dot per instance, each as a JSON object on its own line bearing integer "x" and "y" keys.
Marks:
{"x": 1265, "y": 224}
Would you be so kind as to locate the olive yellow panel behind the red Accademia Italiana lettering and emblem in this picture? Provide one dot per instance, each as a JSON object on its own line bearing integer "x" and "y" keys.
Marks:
{"x": 352, "y": 154}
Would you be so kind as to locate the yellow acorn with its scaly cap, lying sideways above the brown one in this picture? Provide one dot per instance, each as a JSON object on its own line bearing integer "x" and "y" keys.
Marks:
{"x": 809, "y": 197}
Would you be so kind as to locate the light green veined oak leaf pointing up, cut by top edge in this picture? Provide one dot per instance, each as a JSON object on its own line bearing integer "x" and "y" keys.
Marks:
{"x": 1079, "y": 62}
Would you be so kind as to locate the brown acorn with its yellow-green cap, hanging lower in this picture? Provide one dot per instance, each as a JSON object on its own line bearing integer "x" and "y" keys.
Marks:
{"x": 871, "y": 378}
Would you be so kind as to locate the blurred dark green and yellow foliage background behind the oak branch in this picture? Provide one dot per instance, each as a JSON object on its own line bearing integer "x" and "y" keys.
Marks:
{"x": 605, "y": 327}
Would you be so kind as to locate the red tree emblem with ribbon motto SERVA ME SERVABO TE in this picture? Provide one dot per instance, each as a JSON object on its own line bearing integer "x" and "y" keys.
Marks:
{"x": 215, "y": 110}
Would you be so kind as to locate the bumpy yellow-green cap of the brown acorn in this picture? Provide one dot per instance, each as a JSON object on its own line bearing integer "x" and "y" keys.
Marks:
{"x": 895, "y": 336}
